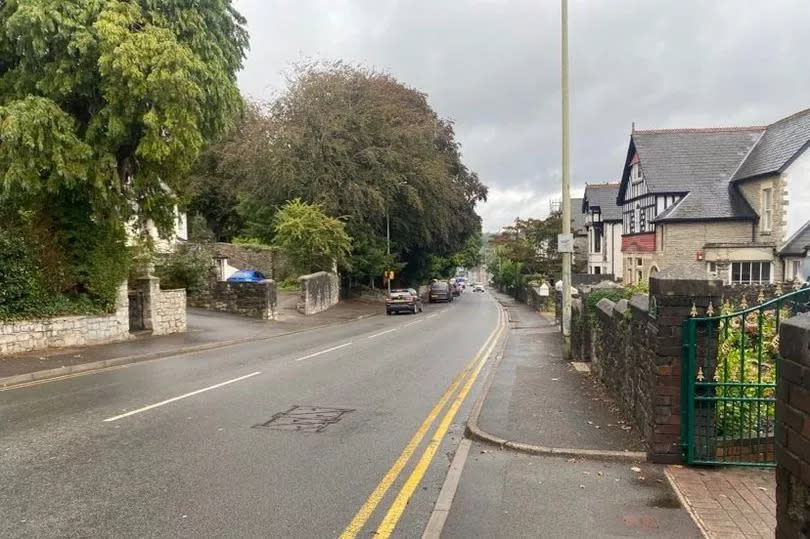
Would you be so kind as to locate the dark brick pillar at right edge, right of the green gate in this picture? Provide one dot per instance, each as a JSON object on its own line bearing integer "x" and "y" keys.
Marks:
{"x": 793, "y": 429}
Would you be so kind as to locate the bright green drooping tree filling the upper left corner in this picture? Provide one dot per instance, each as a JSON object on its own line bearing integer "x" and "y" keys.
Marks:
{"x": 104, "y": 107}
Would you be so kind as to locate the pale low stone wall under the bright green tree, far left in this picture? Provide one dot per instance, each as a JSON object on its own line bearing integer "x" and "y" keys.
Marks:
{"x": 21, "y": 336}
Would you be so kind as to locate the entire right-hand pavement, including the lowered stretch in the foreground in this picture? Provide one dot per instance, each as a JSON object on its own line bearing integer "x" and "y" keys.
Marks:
{"x": 537, "y": 400}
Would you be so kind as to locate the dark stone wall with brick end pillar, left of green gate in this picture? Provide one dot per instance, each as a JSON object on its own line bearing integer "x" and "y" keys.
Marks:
{"x": 635, "y": 348}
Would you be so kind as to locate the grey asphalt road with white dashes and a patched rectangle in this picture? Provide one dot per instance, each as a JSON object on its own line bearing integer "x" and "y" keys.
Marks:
{"x": 175, "y": 447}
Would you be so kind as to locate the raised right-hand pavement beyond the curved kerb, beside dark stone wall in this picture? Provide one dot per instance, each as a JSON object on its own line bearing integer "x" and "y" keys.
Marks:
{"x": 538, "y": 399}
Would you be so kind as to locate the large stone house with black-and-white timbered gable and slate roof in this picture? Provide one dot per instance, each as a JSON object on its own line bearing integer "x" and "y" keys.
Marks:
{"x": 721, "y": 199}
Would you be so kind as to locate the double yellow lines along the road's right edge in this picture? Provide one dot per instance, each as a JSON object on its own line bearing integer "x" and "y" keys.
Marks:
{"x": 389, "y": 522}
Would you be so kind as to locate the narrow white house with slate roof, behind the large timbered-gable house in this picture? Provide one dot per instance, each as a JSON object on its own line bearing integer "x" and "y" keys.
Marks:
{"x": 603, "y": 223}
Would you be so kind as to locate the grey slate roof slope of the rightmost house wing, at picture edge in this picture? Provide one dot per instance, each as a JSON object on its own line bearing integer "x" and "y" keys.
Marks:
{"x": 778, "y": 146}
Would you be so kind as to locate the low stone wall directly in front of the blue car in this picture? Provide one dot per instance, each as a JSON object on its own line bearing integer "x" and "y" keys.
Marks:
{"x": 254, "y": 300}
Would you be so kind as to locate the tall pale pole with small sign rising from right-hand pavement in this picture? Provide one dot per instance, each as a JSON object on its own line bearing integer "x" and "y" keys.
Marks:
{"x": 566, "y": 180}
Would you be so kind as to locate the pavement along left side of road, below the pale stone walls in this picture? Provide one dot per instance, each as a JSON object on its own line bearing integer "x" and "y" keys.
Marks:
{"x": 206, "y": 329}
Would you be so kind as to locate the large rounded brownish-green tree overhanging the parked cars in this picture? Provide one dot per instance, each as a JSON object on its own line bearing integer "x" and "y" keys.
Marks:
{"x": 365, "y": 147}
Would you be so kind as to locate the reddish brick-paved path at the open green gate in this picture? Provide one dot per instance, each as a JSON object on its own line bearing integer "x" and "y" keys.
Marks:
{"x": 728, "y": 502}
